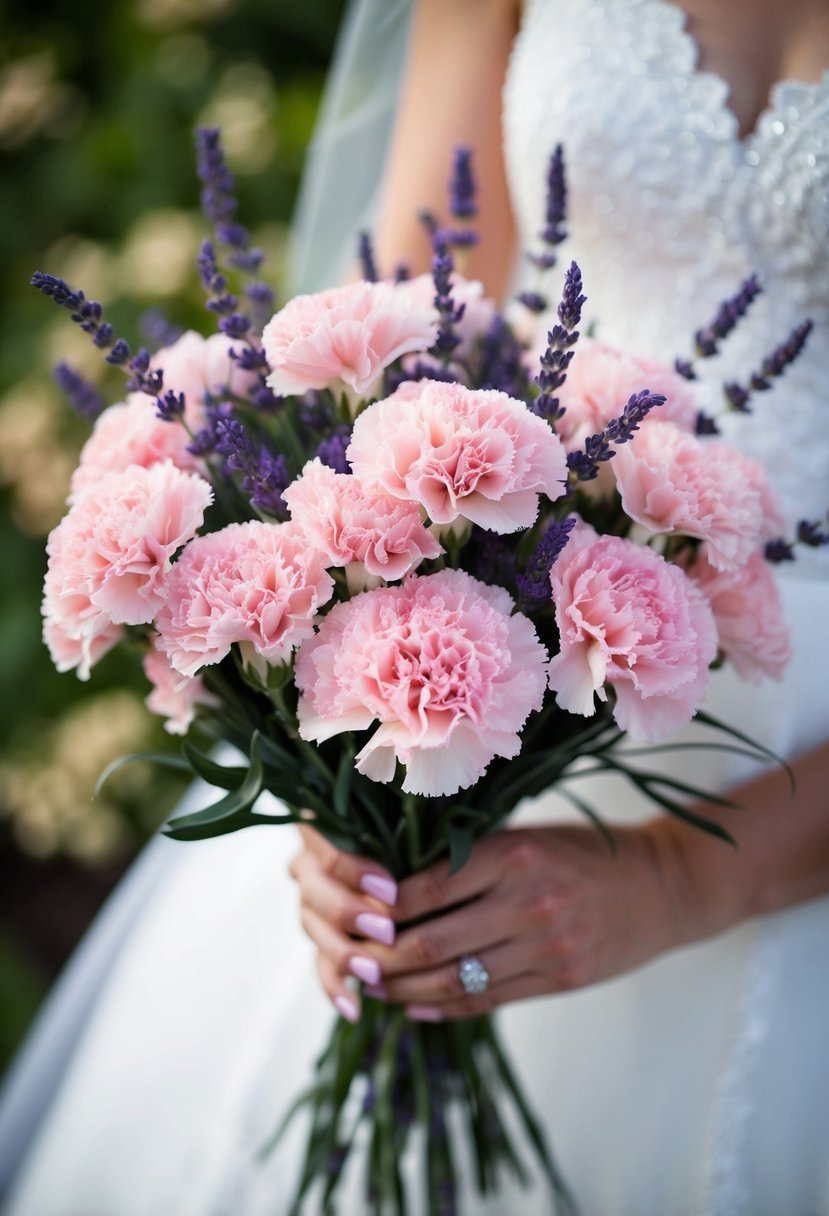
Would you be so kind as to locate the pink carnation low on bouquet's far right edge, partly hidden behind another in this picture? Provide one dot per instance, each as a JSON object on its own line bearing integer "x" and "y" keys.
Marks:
{"x": 748, "y": 612}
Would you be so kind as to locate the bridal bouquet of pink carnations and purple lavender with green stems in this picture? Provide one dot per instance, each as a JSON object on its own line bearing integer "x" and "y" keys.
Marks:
{"x": 413, "y": 570}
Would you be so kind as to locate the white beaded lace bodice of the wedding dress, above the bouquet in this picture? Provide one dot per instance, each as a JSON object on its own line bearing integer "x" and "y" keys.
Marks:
{"x": 670, "y": 209}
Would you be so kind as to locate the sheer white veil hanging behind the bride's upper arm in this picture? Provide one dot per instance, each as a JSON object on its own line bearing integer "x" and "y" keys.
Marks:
{"x": 341, "y": 185}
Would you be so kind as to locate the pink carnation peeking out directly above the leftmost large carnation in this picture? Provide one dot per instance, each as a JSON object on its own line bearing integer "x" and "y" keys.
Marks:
{"x": 131, "y": 434}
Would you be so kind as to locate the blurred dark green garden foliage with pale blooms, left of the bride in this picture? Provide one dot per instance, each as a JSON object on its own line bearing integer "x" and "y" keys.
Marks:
{"x": 99, "y": 187}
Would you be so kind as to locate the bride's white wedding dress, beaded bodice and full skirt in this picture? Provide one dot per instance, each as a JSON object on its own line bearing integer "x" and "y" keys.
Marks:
{"x": 696, "y": 1085}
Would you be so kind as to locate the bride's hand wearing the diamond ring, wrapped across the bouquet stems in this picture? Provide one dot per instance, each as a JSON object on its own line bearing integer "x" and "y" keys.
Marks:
{"x": 545, "y": 910}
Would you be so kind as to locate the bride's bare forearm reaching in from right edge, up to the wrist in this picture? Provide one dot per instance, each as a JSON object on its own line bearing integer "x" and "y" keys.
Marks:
{"x": 782, "y": 855}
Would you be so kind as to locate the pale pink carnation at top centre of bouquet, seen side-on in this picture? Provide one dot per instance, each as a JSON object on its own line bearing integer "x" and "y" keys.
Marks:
{"x": 346, "y": 335}
